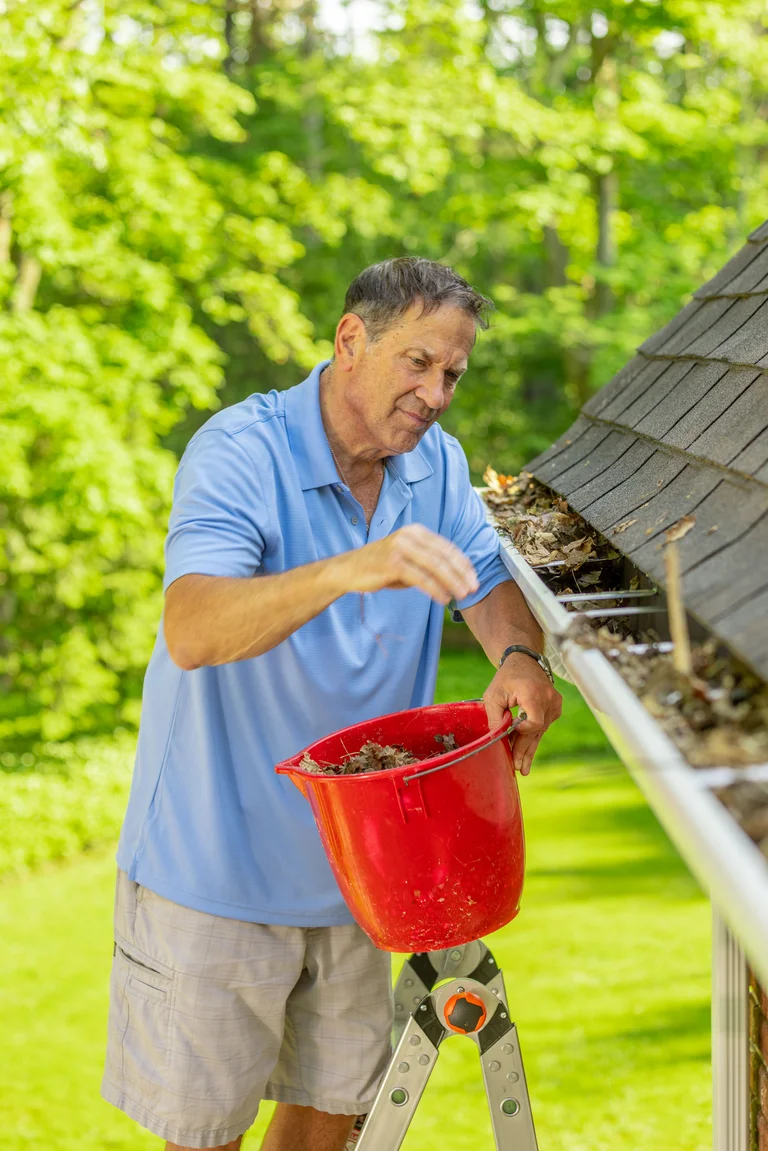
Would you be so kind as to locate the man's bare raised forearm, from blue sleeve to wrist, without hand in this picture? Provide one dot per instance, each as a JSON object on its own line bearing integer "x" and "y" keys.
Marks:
{"x": 211, "y": 620}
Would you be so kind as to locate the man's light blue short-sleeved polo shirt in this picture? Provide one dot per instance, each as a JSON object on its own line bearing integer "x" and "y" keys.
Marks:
{"x": 210, "y": 825}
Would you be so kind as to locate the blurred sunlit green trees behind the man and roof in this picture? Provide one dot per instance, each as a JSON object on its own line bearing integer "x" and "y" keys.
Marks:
{"x": 187, "y": 189}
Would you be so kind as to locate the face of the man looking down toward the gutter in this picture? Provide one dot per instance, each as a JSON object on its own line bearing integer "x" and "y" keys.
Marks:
{"x": 405, "y": 382}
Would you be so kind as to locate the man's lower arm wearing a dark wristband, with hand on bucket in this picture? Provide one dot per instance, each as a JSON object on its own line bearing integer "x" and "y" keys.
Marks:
{"x": 500, "y": 621}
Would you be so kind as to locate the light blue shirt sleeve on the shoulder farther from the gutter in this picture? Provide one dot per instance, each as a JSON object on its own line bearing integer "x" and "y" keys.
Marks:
{"x": 219, "y": 517}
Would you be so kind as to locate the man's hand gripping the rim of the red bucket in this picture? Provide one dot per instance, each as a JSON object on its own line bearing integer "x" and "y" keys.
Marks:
{"x": 522, "y": 683}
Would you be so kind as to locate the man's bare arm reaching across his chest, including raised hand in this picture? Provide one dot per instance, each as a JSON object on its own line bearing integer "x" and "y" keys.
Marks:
{"x": 215, "y": 620}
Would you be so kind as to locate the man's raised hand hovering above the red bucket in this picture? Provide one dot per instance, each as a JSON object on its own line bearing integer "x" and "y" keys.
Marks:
{"x": 414, "y": 557}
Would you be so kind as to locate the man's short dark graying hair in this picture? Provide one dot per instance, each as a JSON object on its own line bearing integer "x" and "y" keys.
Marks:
{"x": 385, "y": 292}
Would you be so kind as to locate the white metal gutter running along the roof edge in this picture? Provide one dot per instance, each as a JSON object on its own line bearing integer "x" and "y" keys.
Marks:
{"x": 719, "y": 853}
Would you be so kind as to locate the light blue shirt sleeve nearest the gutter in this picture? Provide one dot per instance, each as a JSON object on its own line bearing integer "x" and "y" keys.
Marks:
{"x": 470, "y": 530}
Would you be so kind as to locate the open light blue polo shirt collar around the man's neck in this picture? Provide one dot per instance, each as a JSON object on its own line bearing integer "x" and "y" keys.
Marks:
{"x": 309, "y": 443}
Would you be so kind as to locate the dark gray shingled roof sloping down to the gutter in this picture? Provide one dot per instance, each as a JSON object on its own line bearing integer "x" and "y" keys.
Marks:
{"x": 683, "y": 430}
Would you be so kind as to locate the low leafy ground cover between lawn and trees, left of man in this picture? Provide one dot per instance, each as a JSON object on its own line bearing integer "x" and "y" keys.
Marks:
{"x": 71, "y": 799}
